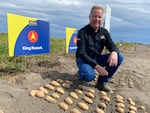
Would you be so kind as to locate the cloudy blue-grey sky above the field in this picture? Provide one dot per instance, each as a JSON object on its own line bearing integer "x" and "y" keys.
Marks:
{"x": 129, "y": 22}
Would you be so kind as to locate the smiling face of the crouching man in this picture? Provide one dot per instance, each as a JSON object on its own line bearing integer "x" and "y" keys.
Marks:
{"x": 96, "y": 18}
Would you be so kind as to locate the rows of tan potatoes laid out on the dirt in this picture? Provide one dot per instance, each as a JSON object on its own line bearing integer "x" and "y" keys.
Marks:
{"x": 83, "y": 98}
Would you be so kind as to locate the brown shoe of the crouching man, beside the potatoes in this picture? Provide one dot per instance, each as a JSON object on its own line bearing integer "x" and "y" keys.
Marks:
{"x": 103, "y": 87}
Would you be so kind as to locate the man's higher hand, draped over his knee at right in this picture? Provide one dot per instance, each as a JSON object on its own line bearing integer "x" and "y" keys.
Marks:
{"x": 113, "y": 59}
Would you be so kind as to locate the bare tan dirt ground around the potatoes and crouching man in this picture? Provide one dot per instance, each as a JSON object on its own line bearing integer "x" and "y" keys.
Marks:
{"x": 132, "y": 80}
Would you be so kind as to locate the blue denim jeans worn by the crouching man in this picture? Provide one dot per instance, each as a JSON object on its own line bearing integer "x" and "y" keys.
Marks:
{"x": 86, "y": 72}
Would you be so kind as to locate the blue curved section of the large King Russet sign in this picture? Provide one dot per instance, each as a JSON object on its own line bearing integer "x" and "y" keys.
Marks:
{"x": 33, "y": 39}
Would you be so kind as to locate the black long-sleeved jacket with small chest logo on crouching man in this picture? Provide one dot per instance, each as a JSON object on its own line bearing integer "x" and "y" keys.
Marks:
{"x": 90, "y": 44}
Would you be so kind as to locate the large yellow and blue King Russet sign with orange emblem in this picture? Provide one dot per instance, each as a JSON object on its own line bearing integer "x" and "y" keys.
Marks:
{"x": 27, "y": 36}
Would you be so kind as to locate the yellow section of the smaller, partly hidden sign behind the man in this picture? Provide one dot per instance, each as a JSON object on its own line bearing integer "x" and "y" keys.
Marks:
{"x": 69, "y": 33}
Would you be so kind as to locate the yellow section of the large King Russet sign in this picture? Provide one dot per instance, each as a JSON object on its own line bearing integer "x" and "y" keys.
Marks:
{"x": 16, "y": 23}
